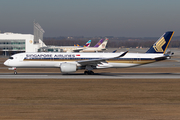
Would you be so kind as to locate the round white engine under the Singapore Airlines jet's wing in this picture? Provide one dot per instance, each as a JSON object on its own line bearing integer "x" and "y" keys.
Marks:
{"x": 68, "y": 67}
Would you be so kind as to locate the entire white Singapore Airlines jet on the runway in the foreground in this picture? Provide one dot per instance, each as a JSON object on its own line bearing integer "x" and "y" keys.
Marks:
{"x": 71, "y": 62}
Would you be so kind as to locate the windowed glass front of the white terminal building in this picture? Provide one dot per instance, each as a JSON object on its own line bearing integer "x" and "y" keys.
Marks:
{"x": 12, "y": 45}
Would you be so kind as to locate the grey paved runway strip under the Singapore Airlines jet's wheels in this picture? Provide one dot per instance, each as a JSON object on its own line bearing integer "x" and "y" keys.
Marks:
{"x": 95, "y": 76}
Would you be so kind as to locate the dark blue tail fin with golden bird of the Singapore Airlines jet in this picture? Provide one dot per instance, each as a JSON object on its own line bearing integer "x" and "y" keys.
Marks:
{"x": 162, "y": 43}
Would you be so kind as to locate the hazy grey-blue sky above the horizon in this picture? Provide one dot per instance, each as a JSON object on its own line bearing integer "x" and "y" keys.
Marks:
{"x": 122, "y": 18}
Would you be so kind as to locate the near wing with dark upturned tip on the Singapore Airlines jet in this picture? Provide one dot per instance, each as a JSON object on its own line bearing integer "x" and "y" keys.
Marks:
{"x": 98, "y": 61}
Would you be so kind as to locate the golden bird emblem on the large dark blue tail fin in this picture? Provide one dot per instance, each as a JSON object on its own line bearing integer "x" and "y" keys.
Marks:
{"x": 158, "y": 46}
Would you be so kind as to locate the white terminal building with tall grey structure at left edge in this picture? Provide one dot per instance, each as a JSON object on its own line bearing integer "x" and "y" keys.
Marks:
{"x": 11, "y": 43}
